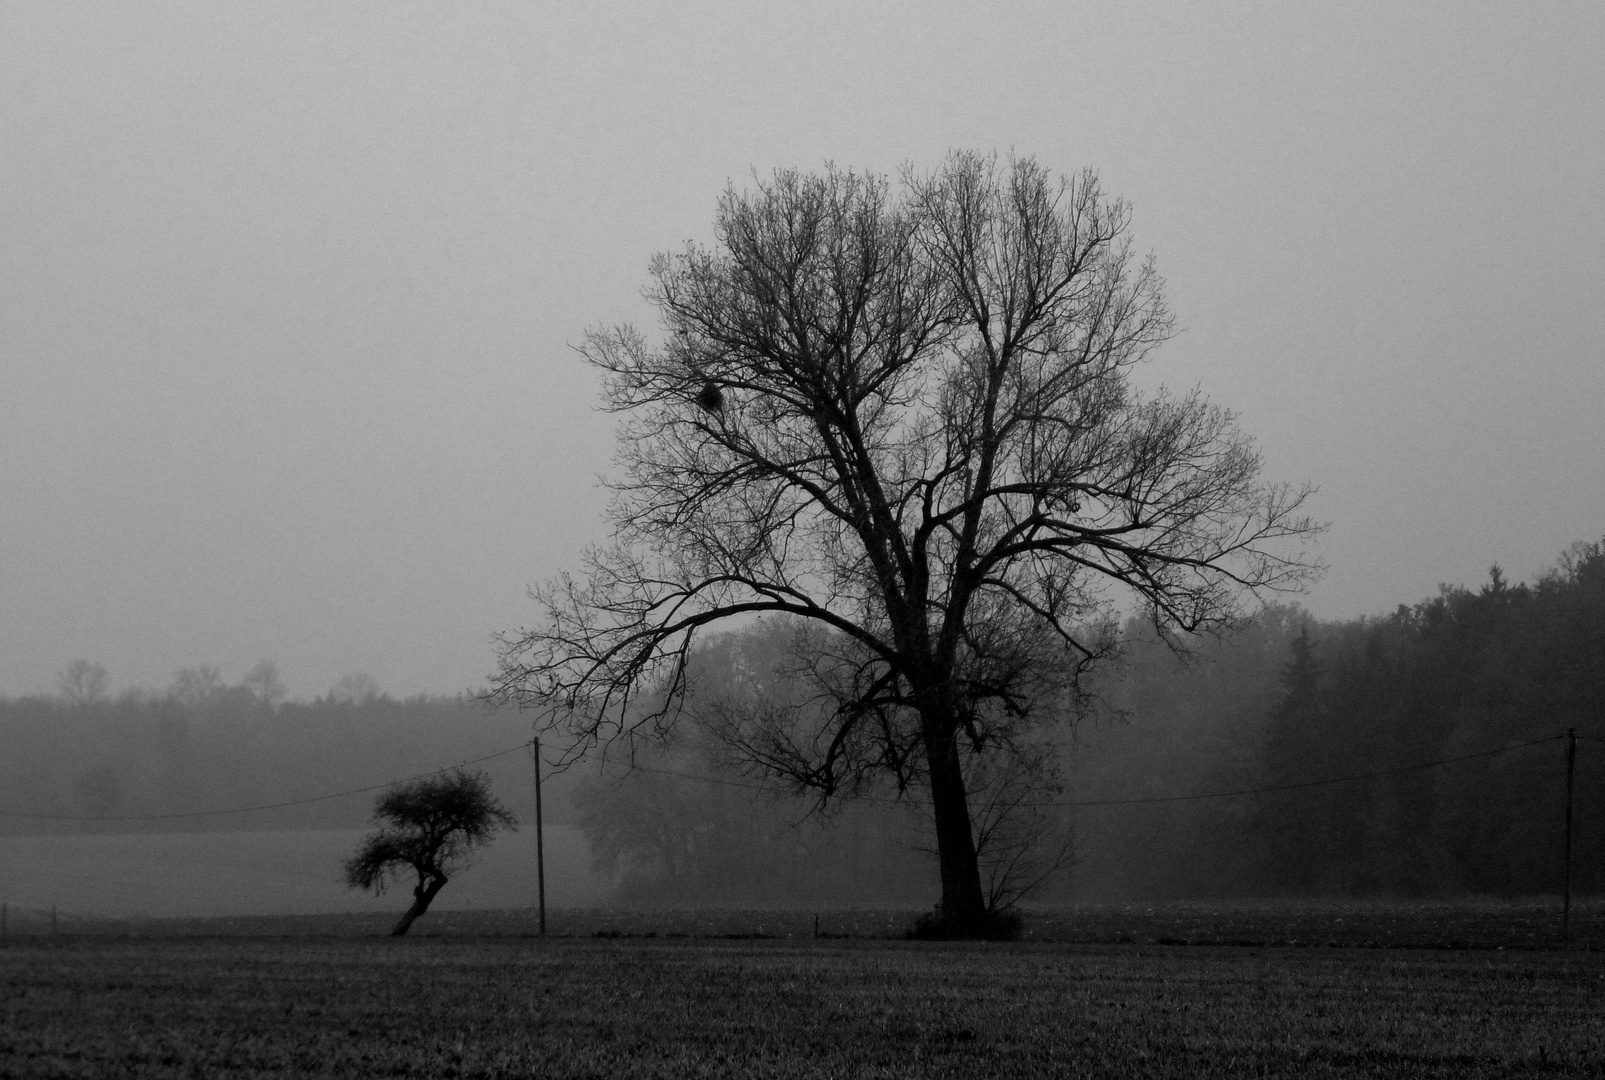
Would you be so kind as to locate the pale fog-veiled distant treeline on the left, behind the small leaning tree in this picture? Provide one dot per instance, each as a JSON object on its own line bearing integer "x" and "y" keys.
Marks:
{"x": 205, "y": 745}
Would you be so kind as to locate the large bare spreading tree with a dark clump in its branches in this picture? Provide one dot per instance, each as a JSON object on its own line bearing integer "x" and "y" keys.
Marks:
{"x": 909, "y": 424}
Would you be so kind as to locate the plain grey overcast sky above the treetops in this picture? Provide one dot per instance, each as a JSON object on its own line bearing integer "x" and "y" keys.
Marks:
{"x": 288, "y": 290}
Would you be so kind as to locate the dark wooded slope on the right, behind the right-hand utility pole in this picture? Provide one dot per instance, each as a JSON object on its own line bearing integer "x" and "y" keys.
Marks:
{"x": 1293, "y": 700}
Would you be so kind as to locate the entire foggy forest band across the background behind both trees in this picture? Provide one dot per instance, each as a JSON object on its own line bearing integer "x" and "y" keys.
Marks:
{"x": 1283, "y": 700}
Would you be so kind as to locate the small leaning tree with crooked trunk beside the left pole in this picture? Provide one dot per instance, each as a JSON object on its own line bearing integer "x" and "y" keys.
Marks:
{"x": 433, "y": 826}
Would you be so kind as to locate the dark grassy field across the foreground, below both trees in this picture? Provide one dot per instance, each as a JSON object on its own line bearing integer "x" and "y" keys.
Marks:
{"x": 460, "y": 1007}
